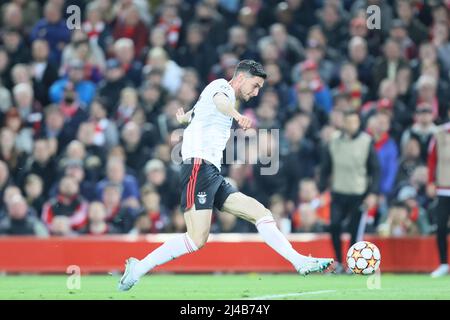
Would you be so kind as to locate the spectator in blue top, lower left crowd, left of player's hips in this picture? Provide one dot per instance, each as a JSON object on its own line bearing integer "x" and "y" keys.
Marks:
{"x": 115, "y": 173}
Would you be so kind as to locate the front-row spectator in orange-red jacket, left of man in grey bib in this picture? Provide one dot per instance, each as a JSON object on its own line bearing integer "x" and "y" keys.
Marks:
{"x": 312, "y": 213}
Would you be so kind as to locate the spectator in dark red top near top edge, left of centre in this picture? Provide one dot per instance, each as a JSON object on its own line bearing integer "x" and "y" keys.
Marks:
{"x": 132, "y": 27}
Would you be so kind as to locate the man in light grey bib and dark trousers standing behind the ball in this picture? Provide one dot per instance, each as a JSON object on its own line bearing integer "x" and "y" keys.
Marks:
{"x": 351, "y": 160}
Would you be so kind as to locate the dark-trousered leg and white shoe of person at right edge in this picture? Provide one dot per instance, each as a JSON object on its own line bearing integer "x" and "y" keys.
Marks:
{"x": 442, "y": 212}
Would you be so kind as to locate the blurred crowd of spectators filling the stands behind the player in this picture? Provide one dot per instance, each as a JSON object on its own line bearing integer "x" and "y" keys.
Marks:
{"x": 88, "y": 122}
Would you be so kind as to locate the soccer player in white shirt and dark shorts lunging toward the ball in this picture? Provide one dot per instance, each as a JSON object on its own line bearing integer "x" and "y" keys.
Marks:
{"x": 204, "y": 140}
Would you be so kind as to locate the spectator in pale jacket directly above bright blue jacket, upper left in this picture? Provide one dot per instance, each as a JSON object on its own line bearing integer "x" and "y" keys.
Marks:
{"x": 89, "y": 52}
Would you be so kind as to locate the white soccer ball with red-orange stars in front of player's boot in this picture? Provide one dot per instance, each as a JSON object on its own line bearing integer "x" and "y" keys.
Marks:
{"x": 363, "y": 258}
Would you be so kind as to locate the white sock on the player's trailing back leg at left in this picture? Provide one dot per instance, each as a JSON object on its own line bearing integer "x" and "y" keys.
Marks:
{"x": 169, "y": 250}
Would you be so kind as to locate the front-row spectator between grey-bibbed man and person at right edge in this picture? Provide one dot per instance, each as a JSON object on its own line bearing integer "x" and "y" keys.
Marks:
{"x": 399, "y": 222}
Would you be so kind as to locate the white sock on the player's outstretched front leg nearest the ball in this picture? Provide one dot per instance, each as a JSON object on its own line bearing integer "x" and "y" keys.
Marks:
{"x": 276, "y": 240}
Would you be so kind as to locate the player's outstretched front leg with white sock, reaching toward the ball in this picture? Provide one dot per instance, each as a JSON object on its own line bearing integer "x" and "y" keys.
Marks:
{"x": 251, "y": 210}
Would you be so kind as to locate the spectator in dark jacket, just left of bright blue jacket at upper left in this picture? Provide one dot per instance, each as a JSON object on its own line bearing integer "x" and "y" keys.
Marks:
{"x": 43, "y": 72}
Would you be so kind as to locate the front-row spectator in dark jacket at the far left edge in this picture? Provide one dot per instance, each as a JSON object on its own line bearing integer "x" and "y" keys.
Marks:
{"x": 19, "y": 220}
